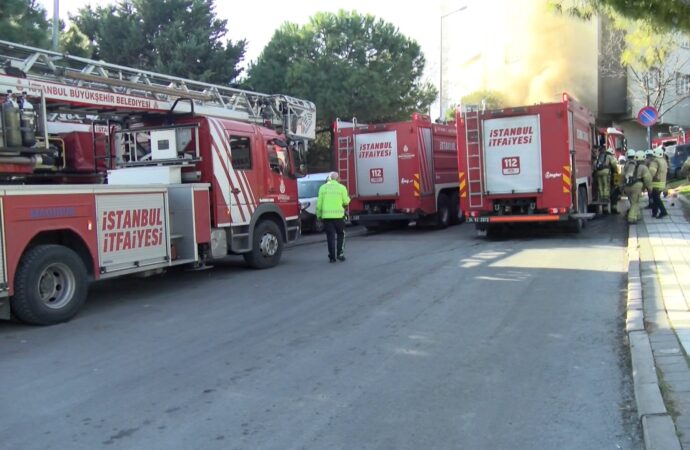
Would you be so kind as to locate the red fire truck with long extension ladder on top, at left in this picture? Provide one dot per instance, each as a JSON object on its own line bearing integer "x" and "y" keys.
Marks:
{"x": 108, "y": 171}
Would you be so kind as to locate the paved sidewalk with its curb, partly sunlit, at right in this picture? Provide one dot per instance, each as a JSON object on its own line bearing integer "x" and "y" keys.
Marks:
{"x": 658, "y": 325}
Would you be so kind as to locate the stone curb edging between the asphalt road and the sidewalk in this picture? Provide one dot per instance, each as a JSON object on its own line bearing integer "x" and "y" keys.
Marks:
{"x": 658, "y": 429}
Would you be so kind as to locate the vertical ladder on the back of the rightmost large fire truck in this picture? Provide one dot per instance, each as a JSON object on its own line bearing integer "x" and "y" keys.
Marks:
{"x": 473, "y": 140}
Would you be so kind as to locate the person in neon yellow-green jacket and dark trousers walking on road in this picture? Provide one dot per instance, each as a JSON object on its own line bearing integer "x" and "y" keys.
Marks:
{"x": 330, "y": 209}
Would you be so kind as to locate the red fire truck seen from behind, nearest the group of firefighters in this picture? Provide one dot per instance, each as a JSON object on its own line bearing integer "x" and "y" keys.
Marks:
{"x": 526, "y": 164}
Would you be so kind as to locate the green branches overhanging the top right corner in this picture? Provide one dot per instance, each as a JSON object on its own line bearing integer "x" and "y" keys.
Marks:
{"x": 670, "y": 14}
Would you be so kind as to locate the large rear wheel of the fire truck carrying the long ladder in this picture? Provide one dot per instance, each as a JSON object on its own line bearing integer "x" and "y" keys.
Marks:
{"x": 50, "y": 285}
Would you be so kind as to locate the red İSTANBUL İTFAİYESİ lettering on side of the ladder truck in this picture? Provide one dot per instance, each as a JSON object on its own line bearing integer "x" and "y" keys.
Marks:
{"x": 128, "y": 229}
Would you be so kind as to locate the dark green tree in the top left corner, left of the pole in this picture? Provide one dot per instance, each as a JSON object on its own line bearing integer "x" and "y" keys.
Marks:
{"x": 24, "y": 22}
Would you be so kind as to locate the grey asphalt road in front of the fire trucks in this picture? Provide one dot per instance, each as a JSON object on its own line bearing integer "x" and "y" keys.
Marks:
{"x": 421, "y": 340}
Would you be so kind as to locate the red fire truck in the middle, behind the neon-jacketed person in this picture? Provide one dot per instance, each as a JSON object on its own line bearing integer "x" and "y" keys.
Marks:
{"x": 399, "y": 172}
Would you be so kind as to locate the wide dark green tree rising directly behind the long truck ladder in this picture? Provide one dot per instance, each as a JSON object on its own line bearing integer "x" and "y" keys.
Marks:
{"x": 175, "y": 37}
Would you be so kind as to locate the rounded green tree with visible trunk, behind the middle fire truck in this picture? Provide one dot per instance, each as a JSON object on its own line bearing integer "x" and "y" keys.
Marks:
{"x": 349, "y": 65}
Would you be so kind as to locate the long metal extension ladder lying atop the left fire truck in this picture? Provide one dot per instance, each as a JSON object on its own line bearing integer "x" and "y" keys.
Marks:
{"x": 54, "y": 76}
